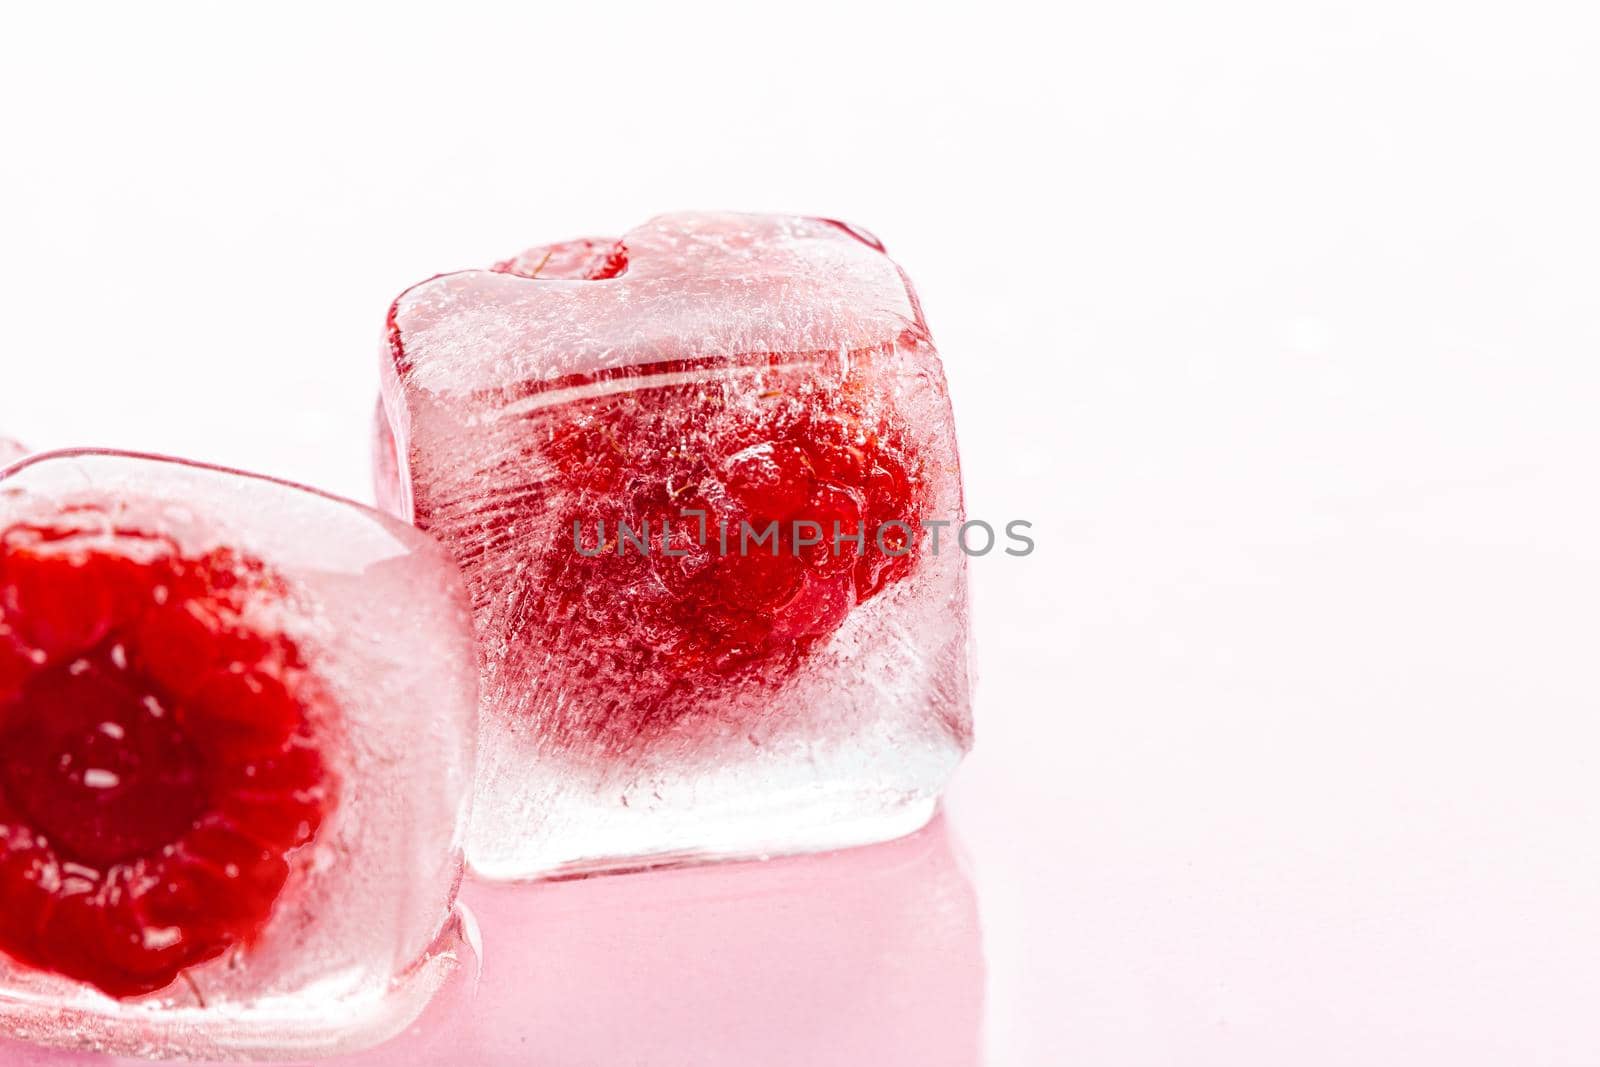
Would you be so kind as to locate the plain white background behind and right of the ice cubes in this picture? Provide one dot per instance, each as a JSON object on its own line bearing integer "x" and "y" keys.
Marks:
{"x": 1279, "y": 322}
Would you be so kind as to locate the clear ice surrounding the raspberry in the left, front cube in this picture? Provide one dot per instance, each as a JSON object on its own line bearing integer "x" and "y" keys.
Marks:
{"x": 366, "y": 929}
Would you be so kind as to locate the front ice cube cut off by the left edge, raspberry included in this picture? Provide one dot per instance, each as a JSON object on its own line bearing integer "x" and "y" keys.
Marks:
{"x": 236, "y": 741}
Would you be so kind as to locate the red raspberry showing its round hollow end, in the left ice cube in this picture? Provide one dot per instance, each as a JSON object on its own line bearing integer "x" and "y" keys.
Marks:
{"x": 158, "y": 756}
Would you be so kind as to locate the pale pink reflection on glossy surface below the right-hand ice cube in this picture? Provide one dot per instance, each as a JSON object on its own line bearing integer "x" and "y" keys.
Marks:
{"x": 865, "y": 957}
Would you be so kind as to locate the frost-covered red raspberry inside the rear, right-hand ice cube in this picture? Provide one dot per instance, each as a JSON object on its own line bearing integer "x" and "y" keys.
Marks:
{"x": 655, "y": 626}
